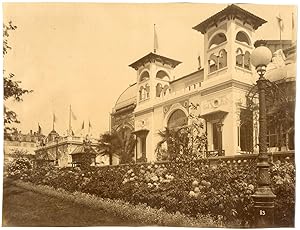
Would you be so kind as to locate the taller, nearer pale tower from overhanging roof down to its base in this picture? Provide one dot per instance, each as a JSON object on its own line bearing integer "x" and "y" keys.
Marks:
{"x": 228, "y": 75}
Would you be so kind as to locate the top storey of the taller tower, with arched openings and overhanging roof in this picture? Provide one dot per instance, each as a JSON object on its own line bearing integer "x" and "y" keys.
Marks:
{"x": 228, "y": 43}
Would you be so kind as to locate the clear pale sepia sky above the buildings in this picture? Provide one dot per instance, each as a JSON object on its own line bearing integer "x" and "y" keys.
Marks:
{"x": 78, "y": 54}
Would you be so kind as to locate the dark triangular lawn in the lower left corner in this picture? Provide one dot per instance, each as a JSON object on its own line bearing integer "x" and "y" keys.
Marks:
{"x": 23, "y": 208}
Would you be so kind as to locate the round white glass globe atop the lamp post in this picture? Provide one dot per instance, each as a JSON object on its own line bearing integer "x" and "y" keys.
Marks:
{"x": 261, "y": 56}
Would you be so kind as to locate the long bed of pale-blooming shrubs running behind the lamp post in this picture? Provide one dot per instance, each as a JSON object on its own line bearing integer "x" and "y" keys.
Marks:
{"x": 222, "y": 191}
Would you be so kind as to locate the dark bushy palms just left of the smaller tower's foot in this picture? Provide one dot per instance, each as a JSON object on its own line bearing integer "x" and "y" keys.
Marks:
{"x": 120, "y": 143}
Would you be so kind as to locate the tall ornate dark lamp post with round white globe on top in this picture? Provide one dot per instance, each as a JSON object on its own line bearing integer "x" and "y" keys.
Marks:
{"x": 263, "y": 196}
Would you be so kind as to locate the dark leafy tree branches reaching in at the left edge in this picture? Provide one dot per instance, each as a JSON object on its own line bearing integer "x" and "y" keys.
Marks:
{"x": 12, "y": 88}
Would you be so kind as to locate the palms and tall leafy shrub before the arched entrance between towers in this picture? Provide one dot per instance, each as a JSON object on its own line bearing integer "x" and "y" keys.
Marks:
{"x": 183, "y": 143}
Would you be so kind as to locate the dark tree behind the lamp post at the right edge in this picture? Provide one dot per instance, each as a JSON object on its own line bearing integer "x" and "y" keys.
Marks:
{"x": 280, "y": 103}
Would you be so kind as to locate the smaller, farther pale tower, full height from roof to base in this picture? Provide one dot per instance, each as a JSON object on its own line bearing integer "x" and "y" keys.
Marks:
{"x": 154, "y": 74}
